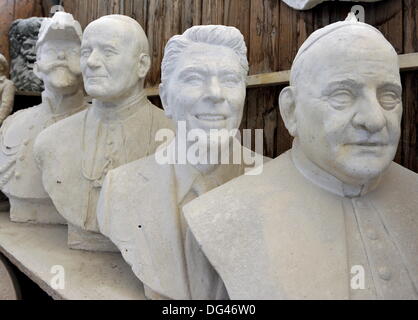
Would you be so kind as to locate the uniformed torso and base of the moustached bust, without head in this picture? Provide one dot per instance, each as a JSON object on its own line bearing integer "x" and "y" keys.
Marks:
{"x": 20, "y": 177}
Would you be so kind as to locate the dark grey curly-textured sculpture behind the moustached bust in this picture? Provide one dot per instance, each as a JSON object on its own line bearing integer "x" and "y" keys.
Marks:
{"x": 23, "y": 35}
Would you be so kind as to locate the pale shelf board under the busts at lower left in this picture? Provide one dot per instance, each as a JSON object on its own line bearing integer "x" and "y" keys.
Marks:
{"x": 36, "y": 249}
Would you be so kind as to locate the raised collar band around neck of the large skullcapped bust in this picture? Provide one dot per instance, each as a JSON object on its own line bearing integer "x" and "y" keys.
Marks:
{"x": 325, "y": 180}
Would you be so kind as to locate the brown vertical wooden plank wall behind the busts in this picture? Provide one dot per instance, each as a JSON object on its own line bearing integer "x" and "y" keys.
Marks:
{"x": 273, "y": 33}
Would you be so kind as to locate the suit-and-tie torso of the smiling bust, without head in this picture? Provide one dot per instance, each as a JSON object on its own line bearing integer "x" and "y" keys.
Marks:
{"x": 140, "y": 211}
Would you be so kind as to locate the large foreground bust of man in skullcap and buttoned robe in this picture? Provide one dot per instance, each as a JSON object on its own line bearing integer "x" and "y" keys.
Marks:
{"x": 333, "y": 217}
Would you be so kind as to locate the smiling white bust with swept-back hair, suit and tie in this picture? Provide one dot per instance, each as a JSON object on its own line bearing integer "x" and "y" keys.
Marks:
{"x": 203, "y": 88}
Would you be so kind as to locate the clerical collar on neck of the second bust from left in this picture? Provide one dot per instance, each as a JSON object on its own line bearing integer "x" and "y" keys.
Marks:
{"x": 119, "y": 113}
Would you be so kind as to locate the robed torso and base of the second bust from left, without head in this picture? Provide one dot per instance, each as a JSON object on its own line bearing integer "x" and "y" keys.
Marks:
{"x": 76, "y": 154}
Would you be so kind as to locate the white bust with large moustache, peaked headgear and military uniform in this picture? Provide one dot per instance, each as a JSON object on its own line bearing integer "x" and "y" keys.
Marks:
{"x": 57, "y": 64}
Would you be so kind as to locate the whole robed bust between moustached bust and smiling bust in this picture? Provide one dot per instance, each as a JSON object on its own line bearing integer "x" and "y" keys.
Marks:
{"x": 118, "y": 128}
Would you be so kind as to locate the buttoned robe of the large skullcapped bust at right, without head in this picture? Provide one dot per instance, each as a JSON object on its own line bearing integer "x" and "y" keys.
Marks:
{"x": 296, "y": 232}
